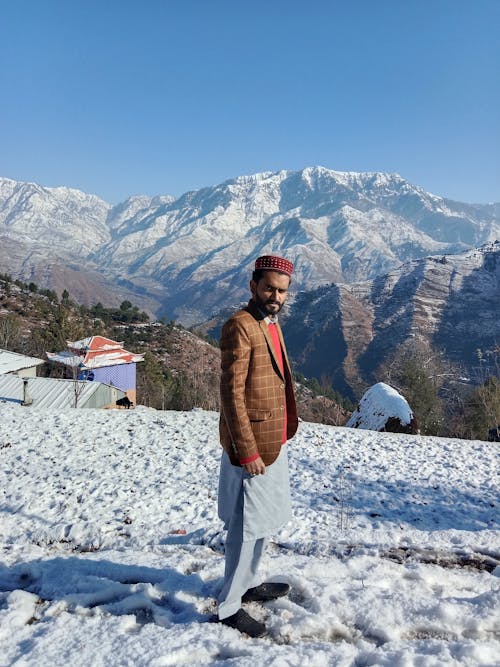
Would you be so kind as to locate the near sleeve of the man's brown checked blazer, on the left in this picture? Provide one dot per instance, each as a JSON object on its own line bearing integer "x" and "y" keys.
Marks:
{"x": 236, "y": 351}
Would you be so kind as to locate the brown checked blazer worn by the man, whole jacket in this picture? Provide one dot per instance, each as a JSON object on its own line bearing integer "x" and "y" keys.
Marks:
{"x": 253, "y": 390}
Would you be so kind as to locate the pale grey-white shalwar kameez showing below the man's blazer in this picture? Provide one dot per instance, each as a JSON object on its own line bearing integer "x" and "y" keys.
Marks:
{"x": 252, "y": 508}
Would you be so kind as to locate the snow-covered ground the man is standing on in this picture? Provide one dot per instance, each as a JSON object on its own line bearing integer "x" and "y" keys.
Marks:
{"x": 112, "y": 550}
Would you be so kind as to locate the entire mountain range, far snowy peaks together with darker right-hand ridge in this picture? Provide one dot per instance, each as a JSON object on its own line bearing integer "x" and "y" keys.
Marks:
{"x": 377, "y": 259}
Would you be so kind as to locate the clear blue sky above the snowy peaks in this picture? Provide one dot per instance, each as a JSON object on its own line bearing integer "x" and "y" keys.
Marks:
{"x": 121, "y": 97}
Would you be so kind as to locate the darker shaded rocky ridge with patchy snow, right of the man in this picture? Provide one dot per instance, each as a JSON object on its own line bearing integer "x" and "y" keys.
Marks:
{"x": 345, "y": 331}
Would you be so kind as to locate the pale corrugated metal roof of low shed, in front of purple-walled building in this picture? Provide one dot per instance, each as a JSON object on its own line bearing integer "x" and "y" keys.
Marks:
{"x": 48, "y": 392}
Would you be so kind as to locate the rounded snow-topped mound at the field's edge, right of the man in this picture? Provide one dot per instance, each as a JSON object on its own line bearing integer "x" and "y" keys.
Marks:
{"x": 382, "y": 408}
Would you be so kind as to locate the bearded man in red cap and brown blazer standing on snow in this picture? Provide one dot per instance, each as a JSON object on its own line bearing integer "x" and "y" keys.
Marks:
{"x": 258, "y": 416}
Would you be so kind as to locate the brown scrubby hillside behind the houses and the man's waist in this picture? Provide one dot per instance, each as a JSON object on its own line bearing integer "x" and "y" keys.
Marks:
{"x": 181, "y": 369}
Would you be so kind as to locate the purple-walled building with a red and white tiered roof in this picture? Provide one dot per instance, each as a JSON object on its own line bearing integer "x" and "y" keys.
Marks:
{"x": 99, "y": 359}
